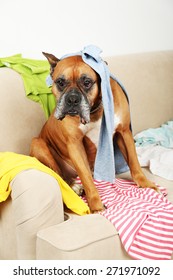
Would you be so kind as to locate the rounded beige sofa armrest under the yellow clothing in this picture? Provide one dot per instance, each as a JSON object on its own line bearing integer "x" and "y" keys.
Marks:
{"x": 37, "y": 204}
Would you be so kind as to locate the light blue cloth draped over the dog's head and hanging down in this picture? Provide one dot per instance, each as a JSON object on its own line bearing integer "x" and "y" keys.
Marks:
{"x": 109, "y": 159}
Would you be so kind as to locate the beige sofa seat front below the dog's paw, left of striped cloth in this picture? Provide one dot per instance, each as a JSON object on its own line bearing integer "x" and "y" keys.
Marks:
{"x": 80, "y": 237}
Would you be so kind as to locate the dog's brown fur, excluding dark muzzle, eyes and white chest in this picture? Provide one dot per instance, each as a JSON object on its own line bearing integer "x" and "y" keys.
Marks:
{"x": 65, "y": 148}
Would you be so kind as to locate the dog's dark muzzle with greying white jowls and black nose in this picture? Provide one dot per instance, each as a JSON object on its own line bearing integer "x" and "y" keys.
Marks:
{"x": 73, "y": 103}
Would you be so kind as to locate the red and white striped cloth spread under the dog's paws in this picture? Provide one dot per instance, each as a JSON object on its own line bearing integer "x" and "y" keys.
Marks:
{"x": 143, "y": 218}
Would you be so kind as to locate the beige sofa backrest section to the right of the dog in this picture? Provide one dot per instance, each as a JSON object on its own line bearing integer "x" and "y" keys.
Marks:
{"x": 148, "y": 79}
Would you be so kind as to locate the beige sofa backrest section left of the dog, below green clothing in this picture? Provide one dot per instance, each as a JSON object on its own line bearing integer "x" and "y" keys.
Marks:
{"x": 20, "y": 118}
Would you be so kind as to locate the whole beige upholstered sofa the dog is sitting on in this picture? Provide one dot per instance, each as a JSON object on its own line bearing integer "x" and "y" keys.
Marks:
{"x": 33, "y": 224}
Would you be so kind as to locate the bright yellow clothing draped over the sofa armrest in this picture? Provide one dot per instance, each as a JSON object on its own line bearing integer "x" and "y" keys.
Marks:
{"x": 11, "y": 164}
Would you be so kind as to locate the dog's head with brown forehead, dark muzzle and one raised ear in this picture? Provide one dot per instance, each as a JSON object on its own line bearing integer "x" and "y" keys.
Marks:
{"x": 76, "y": 87}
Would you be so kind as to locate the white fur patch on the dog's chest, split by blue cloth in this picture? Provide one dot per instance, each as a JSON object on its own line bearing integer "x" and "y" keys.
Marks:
{"x": 92, "y": 129}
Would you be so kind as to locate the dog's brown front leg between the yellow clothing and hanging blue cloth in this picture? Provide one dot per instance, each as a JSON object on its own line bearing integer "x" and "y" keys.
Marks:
{"x": 78, "y": 156}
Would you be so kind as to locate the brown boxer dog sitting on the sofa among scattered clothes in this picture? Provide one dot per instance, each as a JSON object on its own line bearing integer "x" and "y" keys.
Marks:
{"x": 68, "y": 141}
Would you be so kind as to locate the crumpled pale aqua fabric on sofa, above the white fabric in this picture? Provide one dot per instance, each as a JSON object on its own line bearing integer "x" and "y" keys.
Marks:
{"x": 162, "y": 135}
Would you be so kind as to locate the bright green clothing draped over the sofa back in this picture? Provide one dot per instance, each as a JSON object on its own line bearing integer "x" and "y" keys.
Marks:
{"x": 34, "y": 74}
